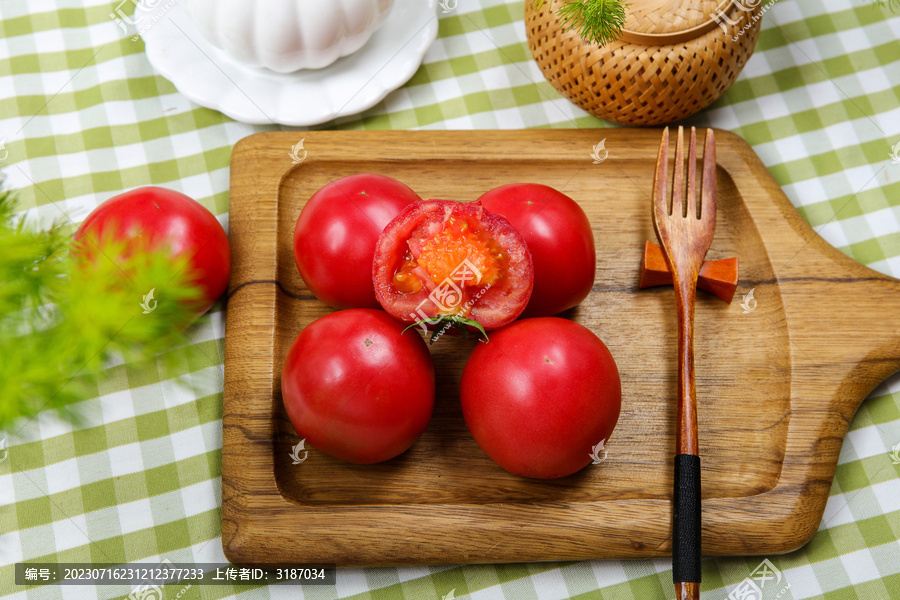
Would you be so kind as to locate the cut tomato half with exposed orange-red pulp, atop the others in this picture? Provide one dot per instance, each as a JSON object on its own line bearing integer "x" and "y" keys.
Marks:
{"x": 440, "y": 259}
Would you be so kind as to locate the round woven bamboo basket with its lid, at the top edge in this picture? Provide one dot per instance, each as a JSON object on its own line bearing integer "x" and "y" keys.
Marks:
{"x": 672, "y": 60}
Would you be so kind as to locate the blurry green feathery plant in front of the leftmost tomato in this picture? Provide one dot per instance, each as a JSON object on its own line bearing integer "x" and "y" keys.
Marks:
{"x": 62, "y": 323}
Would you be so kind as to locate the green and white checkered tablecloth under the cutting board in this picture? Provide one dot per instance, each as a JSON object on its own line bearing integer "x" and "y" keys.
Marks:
{"x": 83, "y": 116}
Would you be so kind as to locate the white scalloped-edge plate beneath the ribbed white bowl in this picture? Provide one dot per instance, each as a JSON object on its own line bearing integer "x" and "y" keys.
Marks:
{"x": 352, "y": 84}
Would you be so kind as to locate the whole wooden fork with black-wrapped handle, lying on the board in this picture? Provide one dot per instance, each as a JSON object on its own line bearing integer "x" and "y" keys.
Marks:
{"x": 685, "y": 229}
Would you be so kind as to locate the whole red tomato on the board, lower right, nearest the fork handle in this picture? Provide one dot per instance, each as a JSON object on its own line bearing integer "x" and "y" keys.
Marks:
{"x": 540, "y": 396}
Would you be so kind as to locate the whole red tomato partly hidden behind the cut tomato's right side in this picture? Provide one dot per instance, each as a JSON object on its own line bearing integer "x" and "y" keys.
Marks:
{"x": 559, "y": 235}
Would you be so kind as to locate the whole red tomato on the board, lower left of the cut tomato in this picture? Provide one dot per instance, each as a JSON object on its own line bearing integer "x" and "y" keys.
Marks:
{"x": 358, "y": 388}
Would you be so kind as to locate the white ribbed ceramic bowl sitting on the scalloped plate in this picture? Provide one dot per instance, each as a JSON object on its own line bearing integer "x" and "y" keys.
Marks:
{"x": 288, "y": 35}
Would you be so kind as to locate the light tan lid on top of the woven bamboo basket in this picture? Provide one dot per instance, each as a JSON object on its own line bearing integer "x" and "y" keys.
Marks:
{"x": 661, "y": 22}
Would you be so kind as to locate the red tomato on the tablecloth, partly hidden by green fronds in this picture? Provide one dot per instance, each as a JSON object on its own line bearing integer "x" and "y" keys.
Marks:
{"x": 159, "y": 217}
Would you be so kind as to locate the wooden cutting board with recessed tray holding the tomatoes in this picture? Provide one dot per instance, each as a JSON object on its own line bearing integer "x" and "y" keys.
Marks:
{"x": 776, "y": 386}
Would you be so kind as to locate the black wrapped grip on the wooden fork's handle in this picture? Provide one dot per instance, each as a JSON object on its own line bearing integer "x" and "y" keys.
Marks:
{"x": 686, "y": 519}
